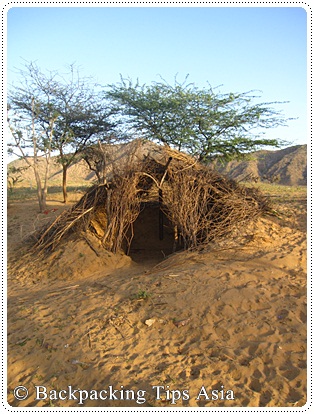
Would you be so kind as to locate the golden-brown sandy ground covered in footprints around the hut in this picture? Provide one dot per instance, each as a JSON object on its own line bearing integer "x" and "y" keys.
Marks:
{"x": 225, "y": 328}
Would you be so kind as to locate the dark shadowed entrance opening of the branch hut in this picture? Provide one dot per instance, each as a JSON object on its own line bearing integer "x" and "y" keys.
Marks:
{"x": 153, "y": 237}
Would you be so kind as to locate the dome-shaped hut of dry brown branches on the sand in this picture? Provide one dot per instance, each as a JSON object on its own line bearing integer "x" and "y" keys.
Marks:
{"x": 201, "y": 204}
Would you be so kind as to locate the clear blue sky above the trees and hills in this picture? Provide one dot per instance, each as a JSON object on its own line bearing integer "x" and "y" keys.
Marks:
{"x": 240, "y": 48}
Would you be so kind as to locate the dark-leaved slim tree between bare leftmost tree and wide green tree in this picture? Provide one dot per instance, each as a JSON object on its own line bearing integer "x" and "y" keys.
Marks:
{"x": 84, "y": 119}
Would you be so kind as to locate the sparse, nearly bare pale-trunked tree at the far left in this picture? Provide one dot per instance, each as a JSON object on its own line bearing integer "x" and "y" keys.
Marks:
{"x": 31, "y": 120}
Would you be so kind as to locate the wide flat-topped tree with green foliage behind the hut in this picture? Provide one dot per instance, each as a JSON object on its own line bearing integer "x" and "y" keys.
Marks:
{"x": 202, "y": 122}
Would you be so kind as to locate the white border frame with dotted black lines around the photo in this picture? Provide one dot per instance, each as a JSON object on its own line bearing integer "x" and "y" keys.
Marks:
{"x": 5, "y": 6}
